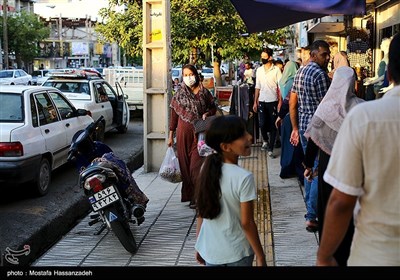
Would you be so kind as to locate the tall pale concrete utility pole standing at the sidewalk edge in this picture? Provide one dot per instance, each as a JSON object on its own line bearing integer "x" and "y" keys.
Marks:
{"x": 157, "y": 81}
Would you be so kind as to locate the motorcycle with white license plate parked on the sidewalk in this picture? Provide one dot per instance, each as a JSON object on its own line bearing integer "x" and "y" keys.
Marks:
{"x": 105, "y": 179}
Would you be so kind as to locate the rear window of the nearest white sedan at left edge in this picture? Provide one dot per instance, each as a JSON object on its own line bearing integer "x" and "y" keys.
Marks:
{"x": 11, "y": 107}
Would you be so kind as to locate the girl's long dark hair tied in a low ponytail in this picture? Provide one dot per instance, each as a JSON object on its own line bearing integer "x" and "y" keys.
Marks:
{"x": 223, "y": 129}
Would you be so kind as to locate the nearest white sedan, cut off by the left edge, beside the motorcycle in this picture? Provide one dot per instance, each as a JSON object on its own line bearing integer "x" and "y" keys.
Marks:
{"x": 36, "y": 129}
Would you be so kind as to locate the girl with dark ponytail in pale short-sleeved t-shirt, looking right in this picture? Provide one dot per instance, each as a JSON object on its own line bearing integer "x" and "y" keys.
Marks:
{"x": 226, "y": 231}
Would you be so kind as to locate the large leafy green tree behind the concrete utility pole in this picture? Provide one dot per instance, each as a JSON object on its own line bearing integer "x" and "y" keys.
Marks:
{"x": 197, "y": 27}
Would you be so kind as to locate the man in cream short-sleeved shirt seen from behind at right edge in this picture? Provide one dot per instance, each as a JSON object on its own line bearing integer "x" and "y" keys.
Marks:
{"x": 364, "y": 167}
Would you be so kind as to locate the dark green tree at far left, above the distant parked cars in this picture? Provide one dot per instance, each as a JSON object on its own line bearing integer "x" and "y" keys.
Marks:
{"x": 25, "y": 31}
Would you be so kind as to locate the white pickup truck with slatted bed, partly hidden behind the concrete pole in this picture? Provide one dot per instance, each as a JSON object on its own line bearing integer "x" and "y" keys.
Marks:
{"x": 131, "y": 81}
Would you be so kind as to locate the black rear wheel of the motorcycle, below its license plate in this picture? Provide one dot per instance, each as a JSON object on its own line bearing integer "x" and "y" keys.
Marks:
{"x": 123, "y": 232}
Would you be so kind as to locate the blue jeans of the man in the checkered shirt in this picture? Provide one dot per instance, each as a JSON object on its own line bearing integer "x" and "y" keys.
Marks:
{"x": 310, "y": 188}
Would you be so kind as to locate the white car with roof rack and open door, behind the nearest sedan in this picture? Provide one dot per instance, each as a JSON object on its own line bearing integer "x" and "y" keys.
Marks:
{"x": 87, "y": 90}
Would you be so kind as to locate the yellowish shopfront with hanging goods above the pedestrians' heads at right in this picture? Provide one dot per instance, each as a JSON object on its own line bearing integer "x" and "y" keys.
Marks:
{"x": 359, "y": 36}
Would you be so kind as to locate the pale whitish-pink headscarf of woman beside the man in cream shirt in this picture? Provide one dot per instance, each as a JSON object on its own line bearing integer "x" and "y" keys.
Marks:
{"x": 329, "y": 116}
